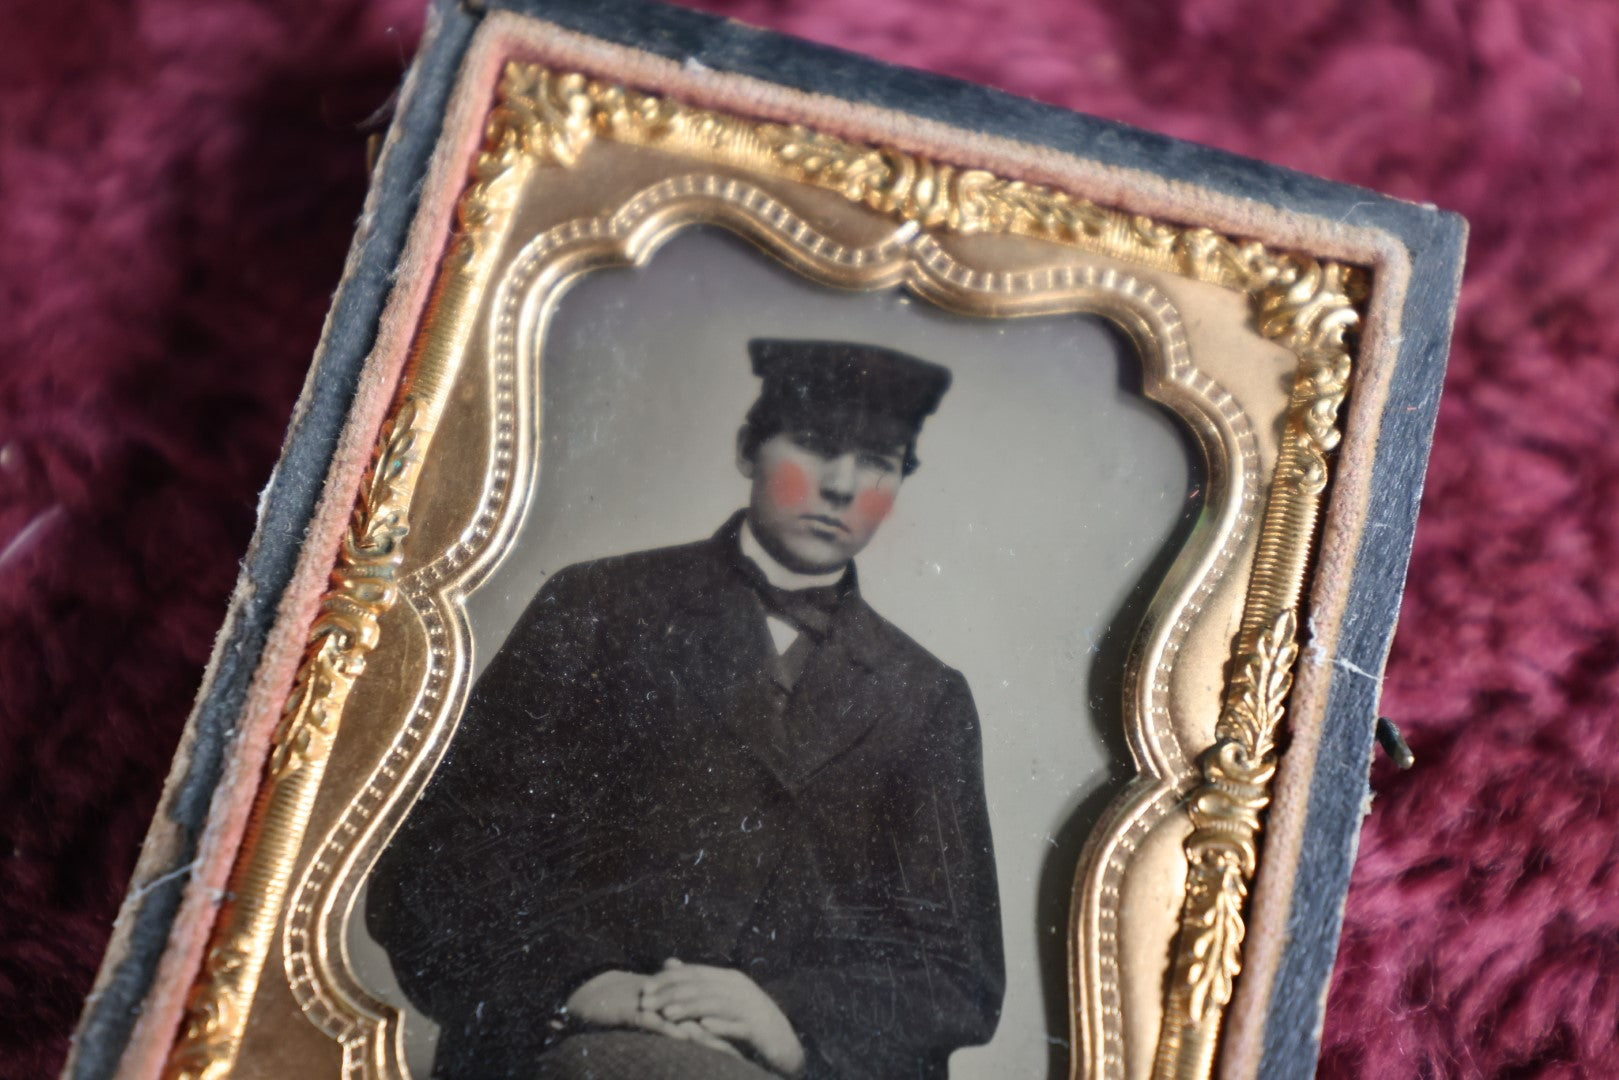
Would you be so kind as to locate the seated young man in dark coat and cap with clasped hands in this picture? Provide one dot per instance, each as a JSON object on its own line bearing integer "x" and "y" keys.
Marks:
{"x": 707, "y": 815}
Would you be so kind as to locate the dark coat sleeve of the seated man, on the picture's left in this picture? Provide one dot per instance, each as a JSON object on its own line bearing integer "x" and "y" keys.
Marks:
{"x": 451, "y": 898}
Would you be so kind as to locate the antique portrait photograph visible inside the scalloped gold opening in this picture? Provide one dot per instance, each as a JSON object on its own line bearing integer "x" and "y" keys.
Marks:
{"x": 794, "y": 694}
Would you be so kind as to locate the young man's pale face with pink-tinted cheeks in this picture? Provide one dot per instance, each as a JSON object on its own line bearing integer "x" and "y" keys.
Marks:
{"x": 817, "y": 503}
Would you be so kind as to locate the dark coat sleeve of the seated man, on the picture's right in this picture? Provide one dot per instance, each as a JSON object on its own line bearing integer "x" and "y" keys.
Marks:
{"x": 917, "y": 972}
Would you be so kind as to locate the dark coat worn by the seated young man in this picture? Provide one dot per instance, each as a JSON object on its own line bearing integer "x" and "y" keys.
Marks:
{"x": 613, "y": 799}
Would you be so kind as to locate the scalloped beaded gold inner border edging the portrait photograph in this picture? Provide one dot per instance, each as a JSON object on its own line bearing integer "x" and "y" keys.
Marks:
{"x": 313, "y": 950}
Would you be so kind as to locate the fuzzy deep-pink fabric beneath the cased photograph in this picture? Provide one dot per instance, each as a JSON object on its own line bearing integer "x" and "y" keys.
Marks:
{"x": 177, "y": 189}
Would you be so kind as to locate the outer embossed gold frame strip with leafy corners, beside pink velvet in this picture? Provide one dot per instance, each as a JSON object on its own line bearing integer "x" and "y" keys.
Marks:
{"x": 545, "y": 119}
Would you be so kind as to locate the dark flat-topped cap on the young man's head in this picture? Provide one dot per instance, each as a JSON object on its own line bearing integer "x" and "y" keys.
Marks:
{"x": 849, "y": 385}
